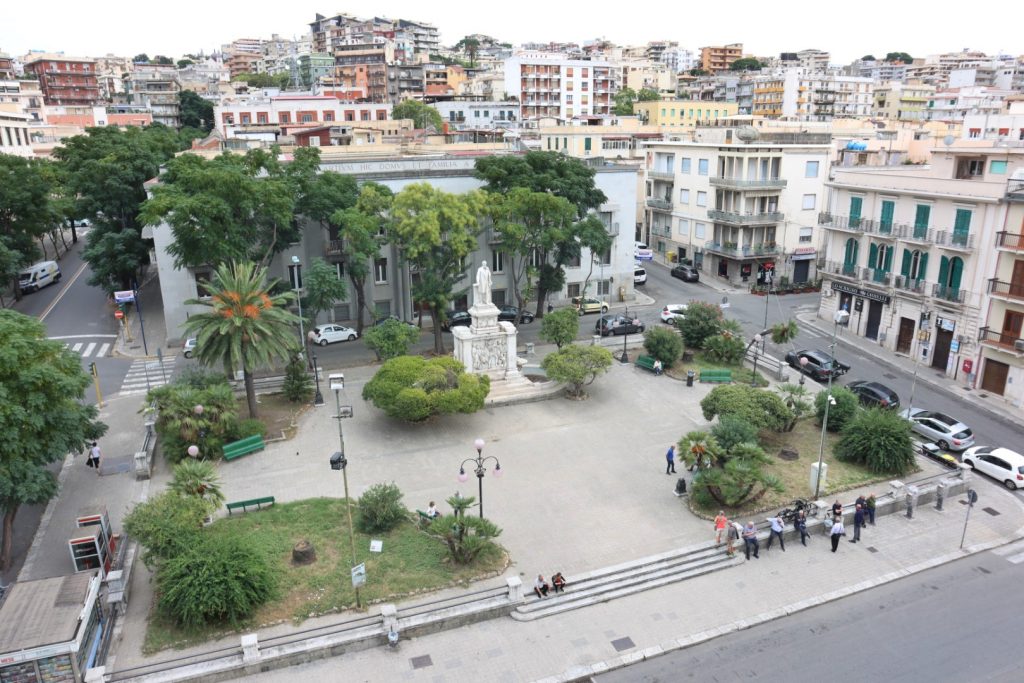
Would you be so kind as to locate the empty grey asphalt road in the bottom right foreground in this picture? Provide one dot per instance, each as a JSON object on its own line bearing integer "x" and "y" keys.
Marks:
{"x": 954, "y": 623}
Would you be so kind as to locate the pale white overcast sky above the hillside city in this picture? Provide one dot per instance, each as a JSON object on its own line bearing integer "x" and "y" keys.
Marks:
{"x": 847, "y": 30}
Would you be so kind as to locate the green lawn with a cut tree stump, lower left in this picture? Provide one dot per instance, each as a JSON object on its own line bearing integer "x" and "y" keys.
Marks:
{"x": 411, "y": 563}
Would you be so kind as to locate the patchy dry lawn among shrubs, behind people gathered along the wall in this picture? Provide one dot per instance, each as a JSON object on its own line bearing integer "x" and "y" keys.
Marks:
{"x": 795, "y": 475}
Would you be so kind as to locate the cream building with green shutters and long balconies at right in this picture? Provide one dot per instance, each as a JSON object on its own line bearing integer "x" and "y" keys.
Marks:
{"x": 910, "y": 252}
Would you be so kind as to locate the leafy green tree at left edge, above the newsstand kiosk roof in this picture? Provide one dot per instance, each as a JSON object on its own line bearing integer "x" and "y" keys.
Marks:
{"x": 42, "y": 417}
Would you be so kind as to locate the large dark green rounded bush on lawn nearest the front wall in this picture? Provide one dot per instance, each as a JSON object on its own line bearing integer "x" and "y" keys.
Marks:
{"x": 217, "y": 581}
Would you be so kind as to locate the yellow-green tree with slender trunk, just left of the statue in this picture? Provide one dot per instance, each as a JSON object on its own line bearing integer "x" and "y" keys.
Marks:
{"x": 436, "y": 232}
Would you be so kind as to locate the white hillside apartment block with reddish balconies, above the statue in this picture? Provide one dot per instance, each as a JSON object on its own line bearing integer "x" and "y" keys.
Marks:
{"x": 550, "y": 84}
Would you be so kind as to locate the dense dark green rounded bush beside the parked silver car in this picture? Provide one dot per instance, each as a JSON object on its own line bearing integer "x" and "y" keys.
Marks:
{"x": 879, "y": 440}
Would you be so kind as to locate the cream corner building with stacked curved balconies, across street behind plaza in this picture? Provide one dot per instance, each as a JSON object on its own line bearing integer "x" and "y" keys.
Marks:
{"x": 742, "y": 207}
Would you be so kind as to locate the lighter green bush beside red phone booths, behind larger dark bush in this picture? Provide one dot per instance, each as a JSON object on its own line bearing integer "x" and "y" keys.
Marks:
{"x": 166, "y": 526}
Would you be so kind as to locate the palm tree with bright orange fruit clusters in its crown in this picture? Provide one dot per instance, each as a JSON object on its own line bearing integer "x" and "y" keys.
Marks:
{"x": 246, "y": 327}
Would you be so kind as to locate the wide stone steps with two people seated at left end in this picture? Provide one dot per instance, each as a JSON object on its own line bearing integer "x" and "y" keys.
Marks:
{"x": 622, "y": 580}
